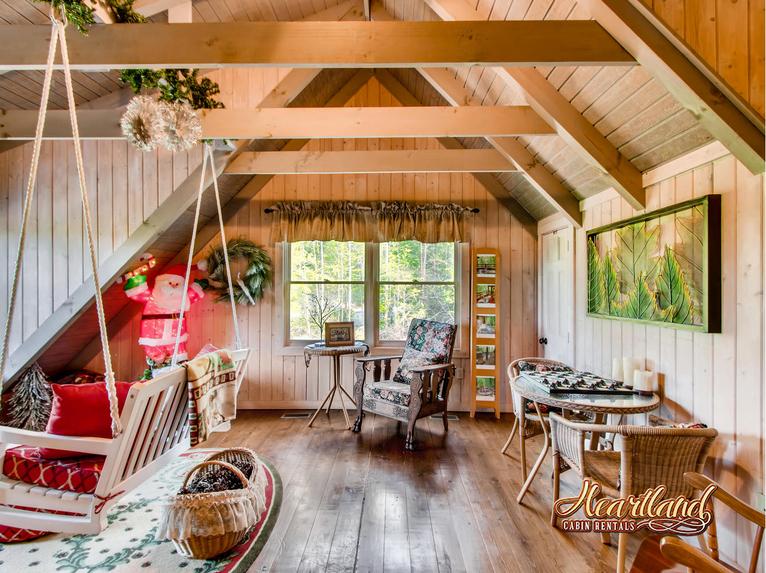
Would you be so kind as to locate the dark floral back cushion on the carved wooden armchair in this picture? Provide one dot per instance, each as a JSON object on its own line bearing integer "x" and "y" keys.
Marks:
{"x": 428, "y": 342}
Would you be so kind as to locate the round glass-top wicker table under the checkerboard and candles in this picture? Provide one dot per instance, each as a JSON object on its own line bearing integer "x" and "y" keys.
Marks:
{"x": 599, "y": 404}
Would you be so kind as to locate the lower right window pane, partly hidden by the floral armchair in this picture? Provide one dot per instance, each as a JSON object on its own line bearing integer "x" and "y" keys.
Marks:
{"x": 399, "y": 304}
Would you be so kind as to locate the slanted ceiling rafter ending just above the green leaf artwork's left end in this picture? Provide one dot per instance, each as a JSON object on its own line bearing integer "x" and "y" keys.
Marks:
{"x": 577, "y": 131}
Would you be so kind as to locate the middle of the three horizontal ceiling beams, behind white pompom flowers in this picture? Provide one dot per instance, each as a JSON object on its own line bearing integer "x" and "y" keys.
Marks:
{"x": 302, "y": 123}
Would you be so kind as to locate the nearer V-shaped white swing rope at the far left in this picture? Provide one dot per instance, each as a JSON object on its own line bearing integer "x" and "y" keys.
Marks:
{"x": 58, "y": 32}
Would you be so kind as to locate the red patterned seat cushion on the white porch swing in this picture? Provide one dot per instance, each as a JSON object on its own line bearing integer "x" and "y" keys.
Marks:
{"x": 80, "y": 475}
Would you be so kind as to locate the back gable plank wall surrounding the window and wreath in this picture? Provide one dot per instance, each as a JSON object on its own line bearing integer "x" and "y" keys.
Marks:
{"x": 278, "y": 378}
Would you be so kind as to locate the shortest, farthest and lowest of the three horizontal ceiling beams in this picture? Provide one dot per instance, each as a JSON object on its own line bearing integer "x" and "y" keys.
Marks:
{"x": 379, "y": 161}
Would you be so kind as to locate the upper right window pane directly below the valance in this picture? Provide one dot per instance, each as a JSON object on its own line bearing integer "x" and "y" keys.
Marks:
{"x": 408, "y": 261}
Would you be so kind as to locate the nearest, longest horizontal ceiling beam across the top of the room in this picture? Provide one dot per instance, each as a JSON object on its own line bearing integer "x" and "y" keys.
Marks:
{"x": 320, "y": 44}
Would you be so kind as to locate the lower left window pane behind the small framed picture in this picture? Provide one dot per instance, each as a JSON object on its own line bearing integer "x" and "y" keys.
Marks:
{"x": 334, "y": 303}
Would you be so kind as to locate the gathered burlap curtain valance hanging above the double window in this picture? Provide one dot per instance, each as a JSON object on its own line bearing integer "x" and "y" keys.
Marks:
{"x": 369, "y": 222}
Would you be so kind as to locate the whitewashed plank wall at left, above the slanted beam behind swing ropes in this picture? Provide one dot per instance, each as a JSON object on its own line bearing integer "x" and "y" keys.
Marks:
{"x": 125, "y": 186}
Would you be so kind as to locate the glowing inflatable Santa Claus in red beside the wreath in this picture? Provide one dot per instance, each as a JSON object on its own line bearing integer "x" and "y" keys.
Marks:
{"x": 161, "y": 315}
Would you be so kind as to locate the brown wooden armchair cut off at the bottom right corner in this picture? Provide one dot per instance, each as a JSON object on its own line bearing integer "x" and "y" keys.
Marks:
{"x": 709, "y": 561}
